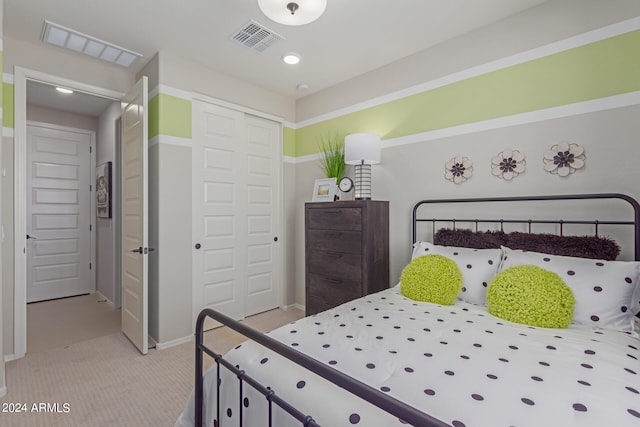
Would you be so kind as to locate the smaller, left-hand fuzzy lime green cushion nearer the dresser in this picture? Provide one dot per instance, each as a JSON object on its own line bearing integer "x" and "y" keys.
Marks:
{"x": 431, "y": 278}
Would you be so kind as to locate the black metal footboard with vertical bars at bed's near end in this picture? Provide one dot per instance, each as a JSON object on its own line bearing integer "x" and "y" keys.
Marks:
{"x": 393, "y": 406}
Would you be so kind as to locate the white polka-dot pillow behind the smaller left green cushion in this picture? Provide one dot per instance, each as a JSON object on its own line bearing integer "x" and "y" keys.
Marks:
{"x": 478, "y": 266}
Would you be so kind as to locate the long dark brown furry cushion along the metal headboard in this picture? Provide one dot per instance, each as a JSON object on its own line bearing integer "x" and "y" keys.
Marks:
{"x": 576, "y": 246}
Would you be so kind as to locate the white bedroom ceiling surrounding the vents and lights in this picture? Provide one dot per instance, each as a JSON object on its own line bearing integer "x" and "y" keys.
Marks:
{"x": 351, "y": 38}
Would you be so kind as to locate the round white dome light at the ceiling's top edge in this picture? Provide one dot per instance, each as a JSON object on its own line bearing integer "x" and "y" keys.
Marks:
{"x": 290, "y": 12}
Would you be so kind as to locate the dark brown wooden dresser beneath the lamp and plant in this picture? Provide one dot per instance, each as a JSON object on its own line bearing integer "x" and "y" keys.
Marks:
{"x": 347, "y": 251}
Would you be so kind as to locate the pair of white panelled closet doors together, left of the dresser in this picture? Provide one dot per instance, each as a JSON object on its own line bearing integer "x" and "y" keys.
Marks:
{"x": 236, "y": 211}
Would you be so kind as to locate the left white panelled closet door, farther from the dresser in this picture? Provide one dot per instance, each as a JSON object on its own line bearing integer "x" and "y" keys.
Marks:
{"x": 219, "y": 192}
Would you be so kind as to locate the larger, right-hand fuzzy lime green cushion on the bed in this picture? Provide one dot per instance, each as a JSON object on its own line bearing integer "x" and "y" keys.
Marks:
{"x": 532, "y": 296}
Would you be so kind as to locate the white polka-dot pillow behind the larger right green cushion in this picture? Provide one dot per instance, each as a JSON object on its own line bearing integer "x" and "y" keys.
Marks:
{"x": 603, "y": 289}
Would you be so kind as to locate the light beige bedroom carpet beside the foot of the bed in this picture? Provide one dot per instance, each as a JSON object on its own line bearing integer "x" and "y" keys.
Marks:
{"x": 106, "y": 382}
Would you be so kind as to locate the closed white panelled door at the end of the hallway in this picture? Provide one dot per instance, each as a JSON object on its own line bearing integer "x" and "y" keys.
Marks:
{"x": 58, "y": 212}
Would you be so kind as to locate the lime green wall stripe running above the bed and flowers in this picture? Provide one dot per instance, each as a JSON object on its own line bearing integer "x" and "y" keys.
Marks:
{"x": 605, "y": 68}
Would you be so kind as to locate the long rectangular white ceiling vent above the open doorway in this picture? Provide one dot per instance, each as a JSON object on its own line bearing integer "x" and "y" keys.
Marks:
{"x": 58, "y": 35}
